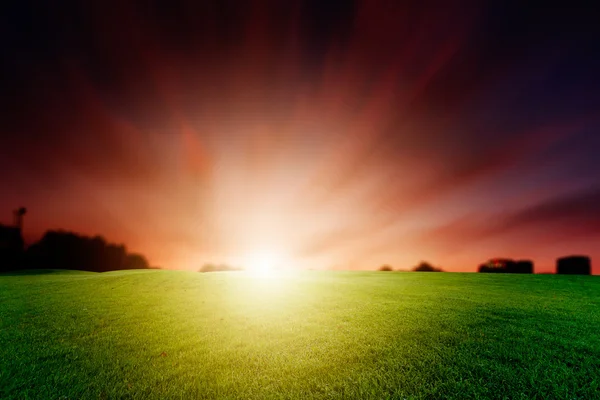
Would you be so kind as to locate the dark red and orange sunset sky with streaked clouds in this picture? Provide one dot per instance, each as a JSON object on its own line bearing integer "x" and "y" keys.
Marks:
{"x": 339, "y": 134}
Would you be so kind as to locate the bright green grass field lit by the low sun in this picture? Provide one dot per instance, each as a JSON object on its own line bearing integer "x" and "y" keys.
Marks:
{"x": 362, "y": 335}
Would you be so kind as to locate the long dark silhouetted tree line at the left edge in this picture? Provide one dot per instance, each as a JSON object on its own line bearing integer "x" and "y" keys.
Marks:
{"x": 66, "y": 250}
